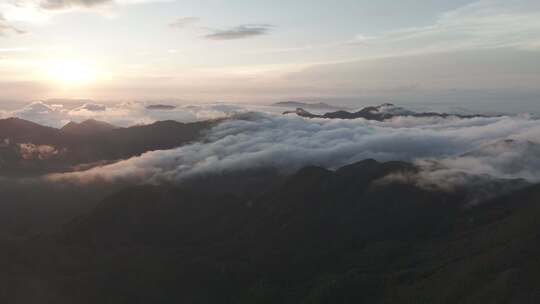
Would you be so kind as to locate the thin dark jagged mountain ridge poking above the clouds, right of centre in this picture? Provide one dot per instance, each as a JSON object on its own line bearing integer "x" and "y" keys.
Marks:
{"x": 378, "y": 113}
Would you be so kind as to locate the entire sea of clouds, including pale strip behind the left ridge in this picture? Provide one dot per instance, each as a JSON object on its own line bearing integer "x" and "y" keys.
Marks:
{"x": 448, "y": 151}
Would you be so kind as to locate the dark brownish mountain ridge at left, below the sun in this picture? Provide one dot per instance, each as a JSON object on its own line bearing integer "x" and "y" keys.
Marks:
{"x": 29, "y": 149}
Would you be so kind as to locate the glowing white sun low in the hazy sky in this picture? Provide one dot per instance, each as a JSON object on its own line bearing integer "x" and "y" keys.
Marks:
{"x": 71, "y": 72}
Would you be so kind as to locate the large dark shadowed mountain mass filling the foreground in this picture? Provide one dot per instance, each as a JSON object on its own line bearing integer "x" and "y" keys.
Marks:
{"x": 316, "y": 236}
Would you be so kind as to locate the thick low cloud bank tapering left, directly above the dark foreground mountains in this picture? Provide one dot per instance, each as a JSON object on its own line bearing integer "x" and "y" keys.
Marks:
{"x": 256, "y": 140}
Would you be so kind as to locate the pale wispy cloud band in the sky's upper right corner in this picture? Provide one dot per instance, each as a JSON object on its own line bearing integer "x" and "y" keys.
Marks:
{"x": 484, "y": 24}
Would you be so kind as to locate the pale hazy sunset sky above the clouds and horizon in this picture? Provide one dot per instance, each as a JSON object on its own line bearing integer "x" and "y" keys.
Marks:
{"x": 482, "y": 54}
